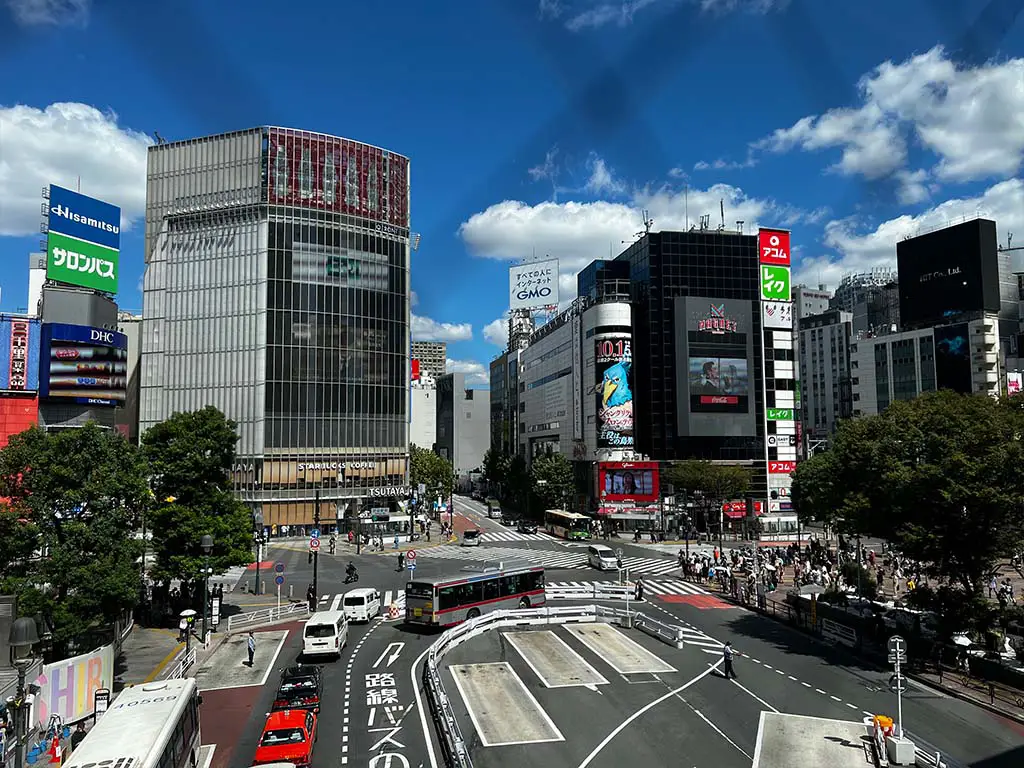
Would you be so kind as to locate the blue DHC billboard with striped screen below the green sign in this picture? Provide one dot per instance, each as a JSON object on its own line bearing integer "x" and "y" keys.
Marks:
{"x": 83, "y": 365}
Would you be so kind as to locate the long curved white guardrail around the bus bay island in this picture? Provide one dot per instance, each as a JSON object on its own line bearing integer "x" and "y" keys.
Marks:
{"x": 453, "y": 744}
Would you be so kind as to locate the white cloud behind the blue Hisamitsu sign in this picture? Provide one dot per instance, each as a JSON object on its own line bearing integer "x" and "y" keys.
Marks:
{"x": 60, "y": 145}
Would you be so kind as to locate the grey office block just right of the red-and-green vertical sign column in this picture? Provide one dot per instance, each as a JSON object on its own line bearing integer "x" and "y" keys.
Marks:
{"x": 825, "y": 372}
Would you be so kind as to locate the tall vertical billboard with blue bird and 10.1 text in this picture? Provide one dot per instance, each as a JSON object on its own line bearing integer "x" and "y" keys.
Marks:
{"x": 614, "y": 393}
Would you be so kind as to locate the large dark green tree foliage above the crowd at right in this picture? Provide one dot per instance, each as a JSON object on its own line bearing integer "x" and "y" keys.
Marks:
{"x": 942, "y": 477}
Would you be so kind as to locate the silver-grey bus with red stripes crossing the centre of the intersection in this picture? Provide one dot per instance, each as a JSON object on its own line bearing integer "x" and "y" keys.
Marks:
{"x": 449, "y": 601}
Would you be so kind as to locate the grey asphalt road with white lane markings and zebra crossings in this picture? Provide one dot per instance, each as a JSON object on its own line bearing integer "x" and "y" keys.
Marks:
{"x": 373, "y": 716}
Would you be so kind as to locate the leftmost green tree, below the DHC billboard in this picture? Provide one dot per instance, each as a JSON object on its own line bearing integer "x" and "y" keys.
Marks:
{"x": 75, "y": 496}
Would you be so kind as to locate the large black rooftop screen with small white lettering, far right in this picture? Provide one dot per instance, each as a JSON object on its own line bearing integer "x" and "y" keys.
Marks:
{"x": 949, "y": 272}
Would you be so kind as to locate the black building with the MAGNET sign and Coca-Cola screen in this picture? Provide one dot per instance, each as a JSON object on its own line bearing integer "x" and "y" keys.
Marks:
{"x": 698, "y": 352}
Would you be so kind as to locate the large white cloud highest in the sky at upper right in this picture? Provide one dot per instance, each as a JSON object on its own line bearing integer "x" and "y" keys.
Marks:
{"x": 970, "y": 118}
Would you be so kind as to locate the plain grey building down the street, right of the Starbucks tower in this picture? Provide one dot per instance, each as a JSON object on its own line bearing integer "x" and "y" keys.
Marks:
{"x": 463, "y": 425}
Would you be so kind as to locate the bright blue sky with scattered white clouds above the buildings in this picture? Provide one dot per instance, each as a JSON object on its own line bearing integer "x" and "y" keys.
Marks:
{"x": 539, "y": 127}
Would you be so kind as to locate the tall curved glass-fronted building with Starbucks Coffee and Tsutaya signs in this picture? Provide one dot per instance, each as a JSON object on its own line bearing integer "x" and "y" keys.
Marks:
{"x": 277, "y": 289}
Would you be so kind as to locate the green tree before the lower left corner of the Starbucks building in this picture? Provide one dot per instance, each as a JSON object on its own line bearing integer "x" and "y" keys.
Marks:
{"x": 191, "y": 457}
